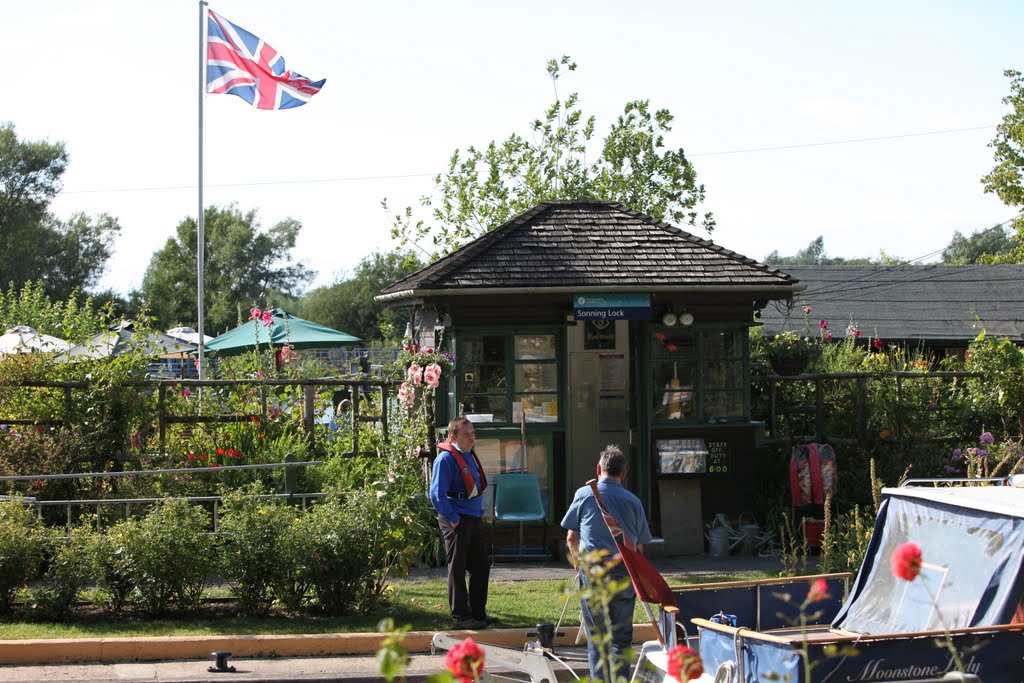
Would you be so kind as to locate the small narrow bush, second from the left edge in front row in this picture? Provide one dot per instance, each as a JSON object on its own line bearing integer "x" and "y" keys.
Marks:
{"x": 68, "y": 571}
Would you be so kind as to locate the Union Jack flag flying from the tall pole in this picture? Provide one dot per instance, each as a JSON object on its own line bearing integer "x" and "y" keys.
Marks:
{"x": 241, "y": 64}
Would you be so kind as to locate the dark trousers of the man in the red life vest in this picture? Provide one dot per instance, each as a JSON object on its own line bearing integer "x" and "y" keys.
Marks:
{"x": 466, "y": 548}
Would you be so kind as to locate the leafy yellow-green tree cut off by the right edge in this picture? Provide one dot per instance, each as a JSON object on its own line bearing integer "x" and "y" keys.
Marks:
{"x": 1006, "y": 180}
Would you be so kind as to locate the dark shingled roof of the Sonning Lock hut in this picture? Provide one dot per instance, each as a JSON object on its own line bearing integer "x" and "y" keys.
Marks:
{"x": 588, "y": 246}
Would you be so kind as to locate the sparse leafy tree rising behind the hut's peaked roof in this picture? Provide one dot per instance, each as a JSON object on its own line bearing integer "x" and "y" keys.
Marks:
{"x": 484, "y": 188}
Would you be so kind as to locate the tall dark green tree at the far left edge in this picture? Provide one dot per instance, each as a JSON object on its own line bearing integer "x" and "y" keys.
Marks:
{"x": 64, "y": 255}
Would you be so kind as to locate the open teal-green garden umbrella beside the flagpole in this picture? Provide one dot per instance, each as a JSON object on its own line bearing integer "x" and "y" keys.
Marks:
{"x": 285, "y": 329}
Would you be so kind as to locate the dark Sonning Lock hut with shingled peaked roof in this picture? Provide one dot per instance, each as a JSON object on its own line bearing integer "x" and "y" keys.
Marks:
{"x": 581, "y": 324}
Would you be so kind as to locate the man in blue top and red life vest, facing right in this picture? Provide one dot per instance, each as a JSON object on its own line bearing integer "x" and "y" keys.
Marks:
{"x": 456, "y": 490}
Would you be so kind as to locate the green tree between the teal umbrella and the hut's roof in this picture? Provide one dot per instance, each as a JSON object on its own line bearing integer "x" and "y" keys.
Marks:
{"x": 349, "y": 305}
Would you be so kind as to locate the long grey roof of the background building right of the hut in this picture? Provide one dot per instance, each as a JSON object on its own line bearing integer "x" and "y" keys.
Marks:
{"x": 940, "y": 305}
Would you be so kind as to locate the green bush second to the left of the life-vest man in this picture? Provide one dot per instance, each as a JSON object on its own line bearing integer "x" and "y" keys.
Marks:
{"x": 253, "y": 535}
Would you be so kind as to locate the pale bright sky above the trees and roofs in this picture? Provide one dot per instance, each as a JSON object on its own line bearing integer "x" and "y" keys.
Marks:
{"x": 410, "y": 82}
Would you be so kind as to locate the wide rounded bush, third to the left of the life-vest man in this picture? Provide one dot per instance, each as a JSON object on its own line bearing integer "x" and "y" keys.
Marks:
{"x": 170, "y": 557}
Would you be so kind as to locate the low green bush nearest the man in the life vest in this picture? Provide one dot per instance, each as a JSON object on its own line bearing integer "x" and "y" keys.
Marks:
{"x": 340, "y": 547}
